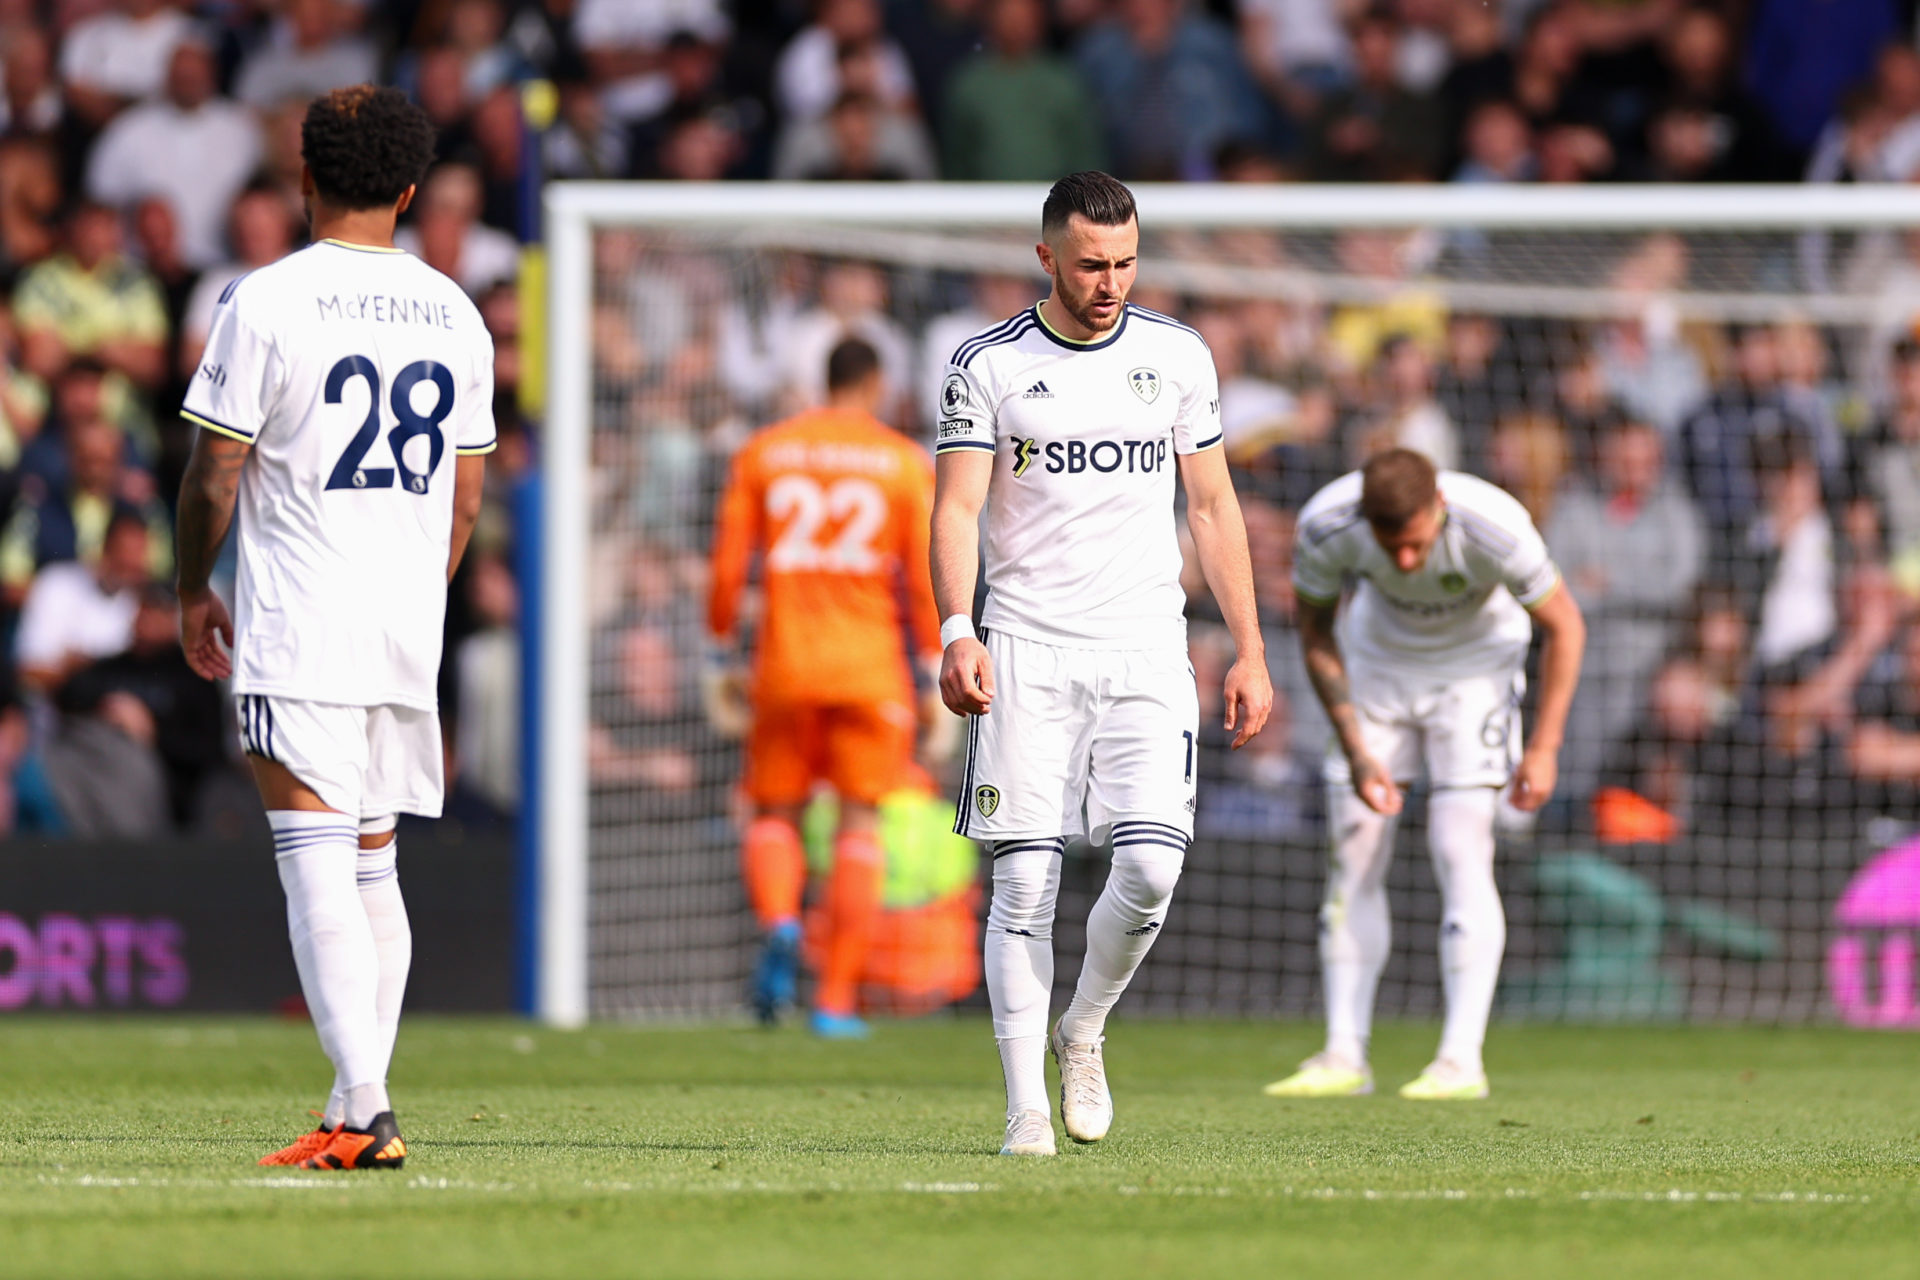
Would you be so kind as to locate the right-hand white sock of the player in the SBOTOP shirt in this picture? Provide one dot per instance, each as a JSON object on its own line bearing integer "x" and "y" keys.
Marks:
{"x": 1124, "y": 922}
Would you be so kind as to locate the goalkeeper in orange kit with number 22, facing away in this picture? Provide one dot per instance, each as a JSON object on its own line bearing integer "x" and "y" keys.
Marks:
{"x": 836, "y": 508}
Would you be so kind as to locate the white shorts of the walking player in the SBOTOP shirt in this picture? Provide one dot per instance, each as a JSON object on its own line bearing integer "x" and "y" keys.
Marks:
{"x": 1080, "y": 740}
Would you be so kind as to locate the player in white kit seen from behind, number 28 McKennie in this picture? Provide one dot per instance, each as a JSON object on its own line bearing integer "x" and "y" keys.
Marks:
{"x": 345, "y": 408}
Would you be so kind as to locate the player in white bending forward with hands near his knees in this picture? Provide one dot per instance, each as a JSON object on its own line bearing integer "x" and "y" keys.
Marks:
{"x": 1428, "y": 671}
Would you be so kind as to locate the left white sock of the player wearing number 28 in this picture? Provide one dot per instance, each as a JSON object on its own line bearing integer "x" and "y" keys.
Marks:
{"x": 335, "y": 951}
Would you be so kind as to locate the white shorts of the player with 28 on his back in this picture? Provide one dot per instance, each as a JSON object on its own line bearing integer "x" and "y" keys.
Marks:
{"x": 360, "y": 761}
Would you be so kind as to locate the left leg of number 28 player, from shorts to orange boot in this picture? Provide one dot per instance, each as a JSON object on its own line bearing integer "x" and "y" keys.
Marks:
{"x": 310, "y": 765}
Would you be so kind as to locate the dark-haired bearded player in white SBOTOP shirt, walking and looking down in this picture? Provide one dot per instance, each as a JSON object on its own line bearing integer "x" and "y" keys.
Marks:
{"x": 1068, "y": 423}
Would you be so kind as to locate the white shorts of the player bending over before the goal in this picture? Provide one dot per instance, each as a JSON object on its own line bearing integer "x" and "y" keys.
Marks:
{"x": 1456, "y": 730}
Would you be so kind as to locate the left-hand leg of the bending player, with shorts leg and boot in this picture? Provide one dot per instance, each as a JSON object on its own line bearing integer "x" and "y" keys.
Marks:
{"x": 1356, "y": 926}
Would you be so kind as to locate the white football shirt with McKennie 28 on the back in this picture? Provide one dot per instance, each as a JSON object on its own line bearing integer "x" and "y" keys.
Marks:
{"x": 356, "y": 375}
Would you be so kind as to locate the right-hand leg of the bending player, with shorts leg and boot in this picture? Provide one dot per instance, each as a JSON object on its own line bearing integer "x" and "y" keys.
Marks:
{"x": 1472, "y": 742}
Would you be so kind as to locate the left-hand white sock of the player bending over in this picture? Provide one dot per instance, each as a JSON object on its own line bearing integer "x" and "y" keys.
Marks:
{"x": 1356, "y": 930}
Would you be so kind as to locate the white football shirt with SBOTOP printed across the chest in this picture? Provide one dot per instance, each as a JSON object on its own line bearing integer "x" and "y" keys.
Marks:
{"x": 1082, "y": 548}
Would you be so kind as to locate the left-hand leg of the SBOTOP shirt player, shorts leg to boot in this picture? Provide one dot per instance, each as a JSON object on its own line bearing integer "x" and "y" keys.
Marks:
{"x": 1024, "y": 765}
